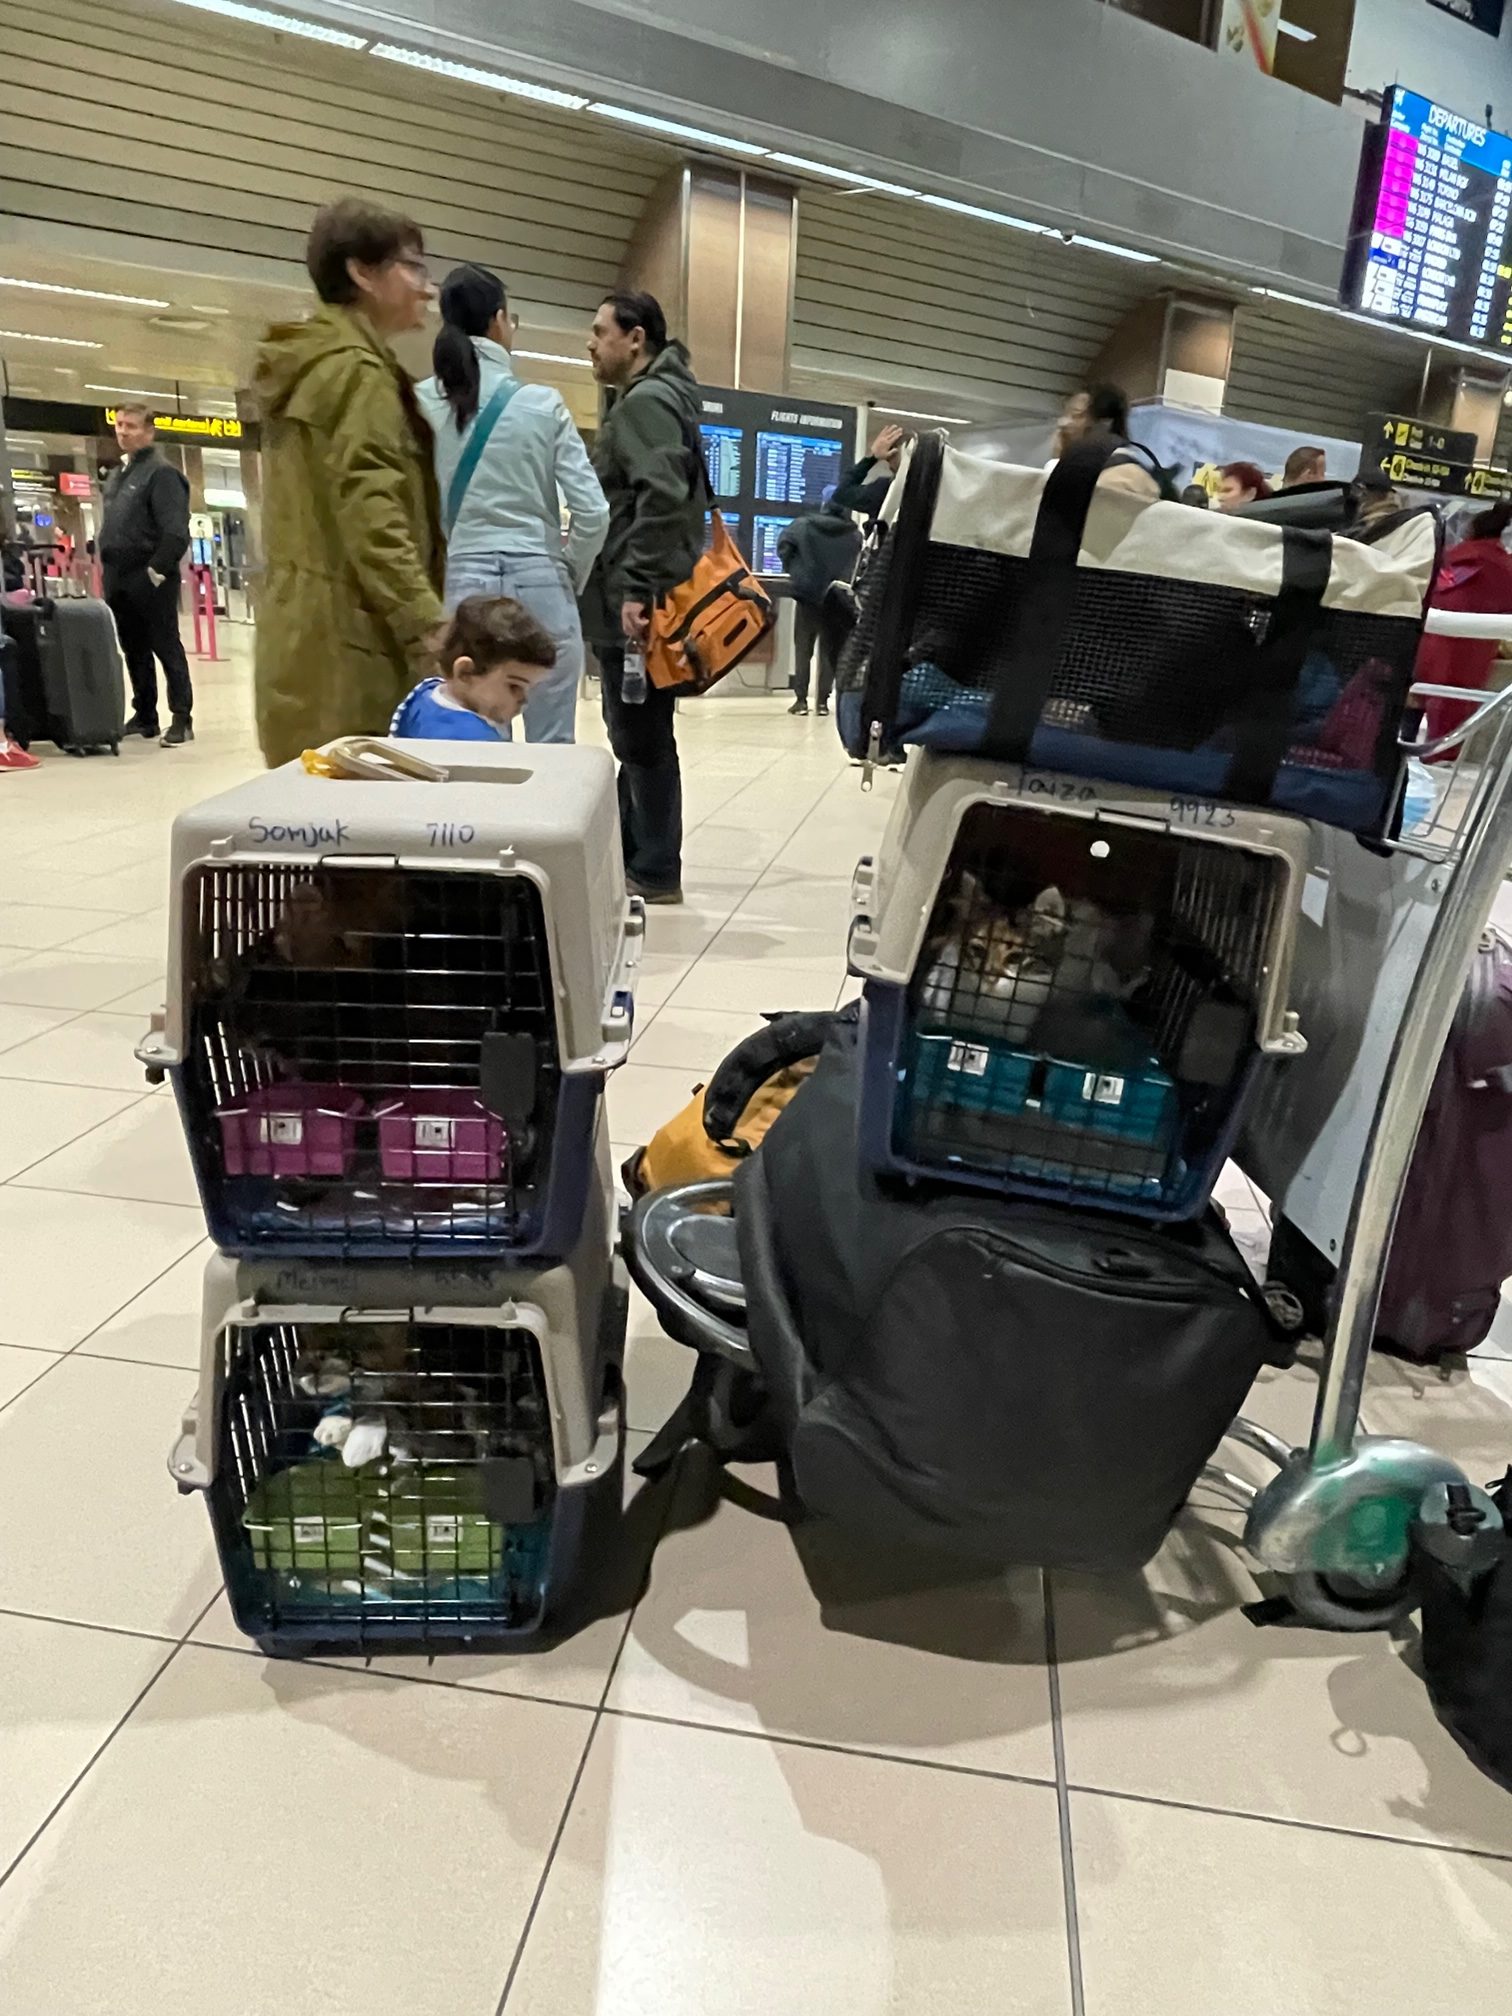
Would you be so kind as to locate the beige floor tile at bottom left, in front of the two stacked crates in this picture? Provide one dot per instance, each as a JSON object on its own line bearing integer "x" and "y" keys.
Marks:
{"x": 297, "y": 1840}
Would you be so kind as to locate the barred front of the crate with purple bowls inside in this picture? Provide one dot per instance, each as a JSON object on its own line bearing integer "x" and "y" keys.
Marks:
{"x": 372, "y": 1055}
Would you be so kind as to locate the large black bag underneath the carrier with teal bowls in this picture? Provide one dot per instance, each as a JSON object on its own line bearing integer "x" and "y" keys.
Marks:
{"x": 989, "y": 1378}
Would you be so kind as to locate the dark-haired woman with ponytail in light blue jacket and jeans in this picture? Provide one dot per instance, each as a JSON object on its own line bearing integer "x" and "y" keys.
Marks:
{"x": 507, "y": 461}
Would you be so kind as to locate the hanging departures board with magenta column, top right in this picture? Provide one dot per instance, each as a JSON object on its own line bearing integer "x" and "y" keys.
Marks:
{"x": 1432, "y": 225}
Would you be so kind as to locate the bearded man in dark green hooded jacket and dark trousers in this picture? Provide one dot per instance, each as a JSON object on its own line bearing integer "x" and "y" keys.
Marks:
{"x": 646, "y": 459}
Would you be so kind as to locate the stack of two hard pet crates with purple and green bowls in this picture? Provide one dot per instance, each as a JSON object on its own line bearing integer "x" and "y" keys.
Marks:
{"x": 392, "y": 1009}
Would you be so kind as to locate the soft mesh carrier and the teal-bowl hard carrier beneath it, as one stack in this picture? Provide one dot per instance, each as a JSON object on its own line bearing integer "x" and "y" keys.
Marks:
{"x": 1072, "y": 983}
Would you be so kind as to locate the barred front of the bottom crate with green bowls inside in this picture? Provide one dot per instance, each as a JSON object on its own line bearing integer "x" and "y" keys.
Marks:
{"x": 384, "y": 1479}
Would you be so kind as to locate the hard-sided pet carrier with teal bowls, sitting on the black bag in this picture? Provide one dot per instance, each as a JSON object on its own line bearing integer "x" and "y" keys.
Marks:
{"x": 1069, "y": 987}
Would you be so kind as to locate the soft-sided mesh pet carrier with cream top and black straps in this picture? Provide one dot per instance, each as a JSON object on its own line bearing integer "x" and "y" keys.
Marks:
{"x": 1086, "y": 630}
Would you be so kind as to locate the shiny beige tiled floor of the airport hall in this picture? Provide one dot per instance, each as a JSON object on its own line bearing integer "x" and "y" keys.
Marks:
{"x": 793, "y": 1777}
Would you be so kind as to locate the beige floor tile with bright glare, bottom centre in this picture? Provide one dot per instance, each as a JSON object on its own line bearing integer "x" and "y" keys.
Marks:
{"x": 707, "y": 1872}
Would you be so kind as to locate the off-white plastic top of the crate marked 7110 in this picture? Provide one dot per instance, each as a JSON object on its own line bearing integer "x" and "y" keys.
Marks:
{"x": 541, "y": 811}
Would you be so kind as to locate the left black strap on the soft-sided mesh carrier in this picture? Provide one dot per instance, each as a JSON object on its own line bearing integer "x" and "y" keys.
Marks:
{"x": 1045, "y": 600}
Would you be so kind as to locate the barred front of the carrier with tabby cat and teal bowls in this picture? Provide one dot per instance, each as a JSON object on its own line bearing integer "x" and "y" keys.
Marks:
{"x": 1086, "y": 1011}
